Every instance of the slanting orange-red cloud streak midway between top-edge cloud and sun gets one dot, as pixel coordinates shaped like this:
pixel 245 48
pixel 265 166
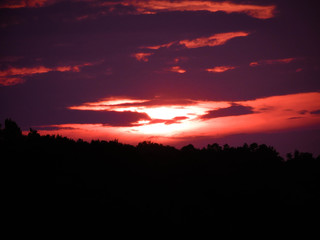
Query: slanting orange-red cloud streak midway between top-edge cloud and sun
pixel 211 41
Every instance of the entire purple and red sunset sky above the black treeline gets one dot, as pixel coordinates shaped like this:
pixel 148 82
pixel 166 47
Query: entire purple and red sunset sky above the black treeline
pixel 172 72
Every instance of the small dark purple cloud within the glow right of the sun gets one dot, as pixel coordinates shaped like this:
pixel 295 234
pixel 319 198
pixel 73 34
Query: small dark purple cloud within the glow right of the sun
pixel 234 110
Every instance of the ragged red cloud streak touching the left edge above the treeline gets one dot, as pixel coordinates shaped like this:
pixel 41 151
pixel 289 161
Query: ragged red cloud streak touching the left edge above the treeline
pixel 13 76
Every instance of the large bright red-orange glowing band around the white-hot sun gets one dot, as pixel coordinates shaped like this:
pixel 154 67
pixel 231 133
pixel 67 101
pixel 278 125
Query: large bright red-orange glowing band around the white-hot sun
pixel 171 122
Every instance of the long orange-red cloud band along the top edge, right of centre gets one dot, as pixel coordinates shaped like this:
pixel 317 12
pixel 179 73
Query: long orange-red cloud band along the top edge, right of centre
pixel 155 6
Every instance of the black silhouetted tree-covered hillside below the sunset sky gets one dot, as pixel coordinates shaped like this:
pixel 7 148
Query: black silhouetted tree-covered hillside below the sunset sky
pixel 58 182
